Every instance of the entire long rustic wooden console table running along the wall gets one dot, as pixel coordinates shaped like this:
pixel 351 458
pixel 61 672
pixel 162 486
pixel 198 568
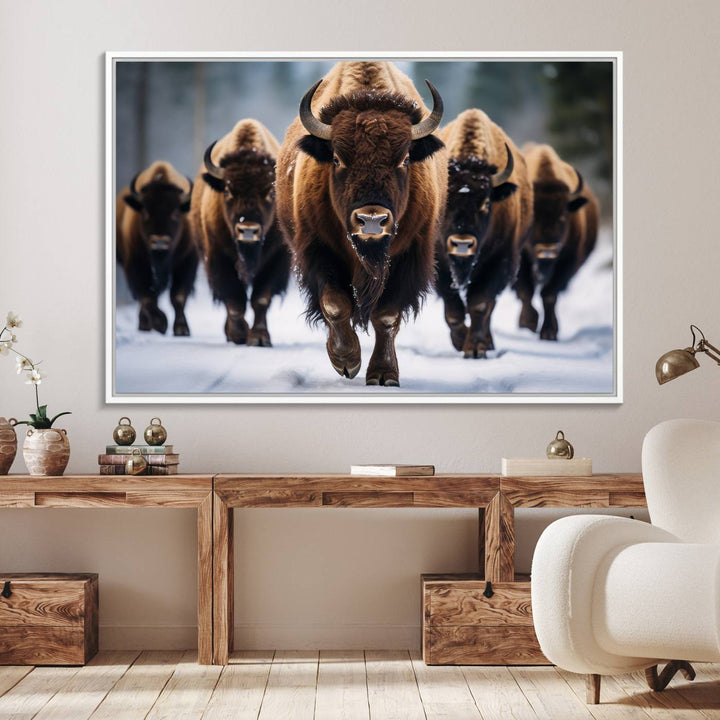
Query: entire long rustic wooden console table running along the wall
pixel 215 497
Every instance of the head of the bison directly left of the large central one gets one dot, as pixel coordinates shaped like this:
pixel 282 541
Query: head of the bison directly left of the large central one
pixel 246 180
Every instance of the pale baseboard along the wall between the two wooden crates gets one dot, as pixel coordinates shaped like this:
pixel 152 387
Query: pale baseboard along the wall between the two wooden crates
pixel 265 637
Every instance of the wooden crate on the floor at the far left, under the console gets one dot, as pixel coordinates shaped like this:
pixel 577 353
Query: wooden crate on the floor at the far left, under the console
pixel 48 618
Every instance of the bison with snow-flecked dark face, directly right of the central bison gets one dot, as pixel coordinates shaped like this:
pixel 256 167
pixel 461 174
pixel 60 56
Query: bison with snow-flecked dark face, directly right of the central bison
pixel 487 218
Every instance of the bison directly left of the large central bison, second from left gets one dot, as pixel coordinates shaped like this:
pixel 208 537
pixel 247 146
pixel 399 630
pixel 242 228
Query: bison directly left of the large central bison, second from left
pixel 234 226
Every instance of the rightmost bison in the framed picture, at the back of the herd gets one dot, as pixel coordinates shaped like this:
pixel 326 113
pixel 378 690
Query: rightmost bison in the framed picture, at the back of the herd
pixel 563 234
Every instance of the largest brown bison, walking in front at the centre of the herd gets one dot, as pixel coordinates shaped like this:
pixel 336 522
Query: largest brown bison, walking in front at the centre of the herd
pixel 361 189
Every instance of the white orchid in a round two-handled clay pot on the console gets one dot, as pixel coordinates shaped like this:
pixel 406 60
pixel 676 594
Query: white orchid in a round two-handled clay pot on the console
pixel 46 449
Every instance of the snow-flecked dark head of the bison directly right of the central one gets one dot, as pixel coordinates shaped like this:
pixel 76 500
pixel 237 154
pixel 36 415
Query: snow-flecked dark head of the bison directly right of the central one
pixel 474 186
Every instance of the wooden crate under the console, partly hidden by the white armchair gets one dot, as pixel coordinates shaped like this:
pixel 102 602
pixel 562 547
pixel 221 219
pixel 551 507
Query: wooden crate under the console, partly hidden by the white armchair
pixel 461 626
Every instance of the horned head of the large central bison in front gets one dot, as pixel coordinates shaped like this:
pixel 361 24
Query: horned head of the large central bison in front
pixel 370 140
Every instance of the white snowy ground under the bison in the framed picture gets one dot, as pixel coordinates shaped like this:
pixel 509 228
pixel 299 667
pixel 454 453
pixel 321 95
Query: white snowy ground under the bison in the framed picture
pixel 581 362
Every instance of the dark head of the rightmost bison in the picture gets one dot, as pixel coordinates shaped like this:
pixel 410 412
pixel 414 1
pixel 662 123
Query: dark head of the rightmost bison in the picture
pixel 553 203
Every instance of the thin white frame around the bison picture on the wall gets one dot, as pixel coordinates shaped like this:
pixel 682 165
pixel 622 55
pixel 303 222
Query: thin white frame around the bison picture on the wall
pixel 356 392
